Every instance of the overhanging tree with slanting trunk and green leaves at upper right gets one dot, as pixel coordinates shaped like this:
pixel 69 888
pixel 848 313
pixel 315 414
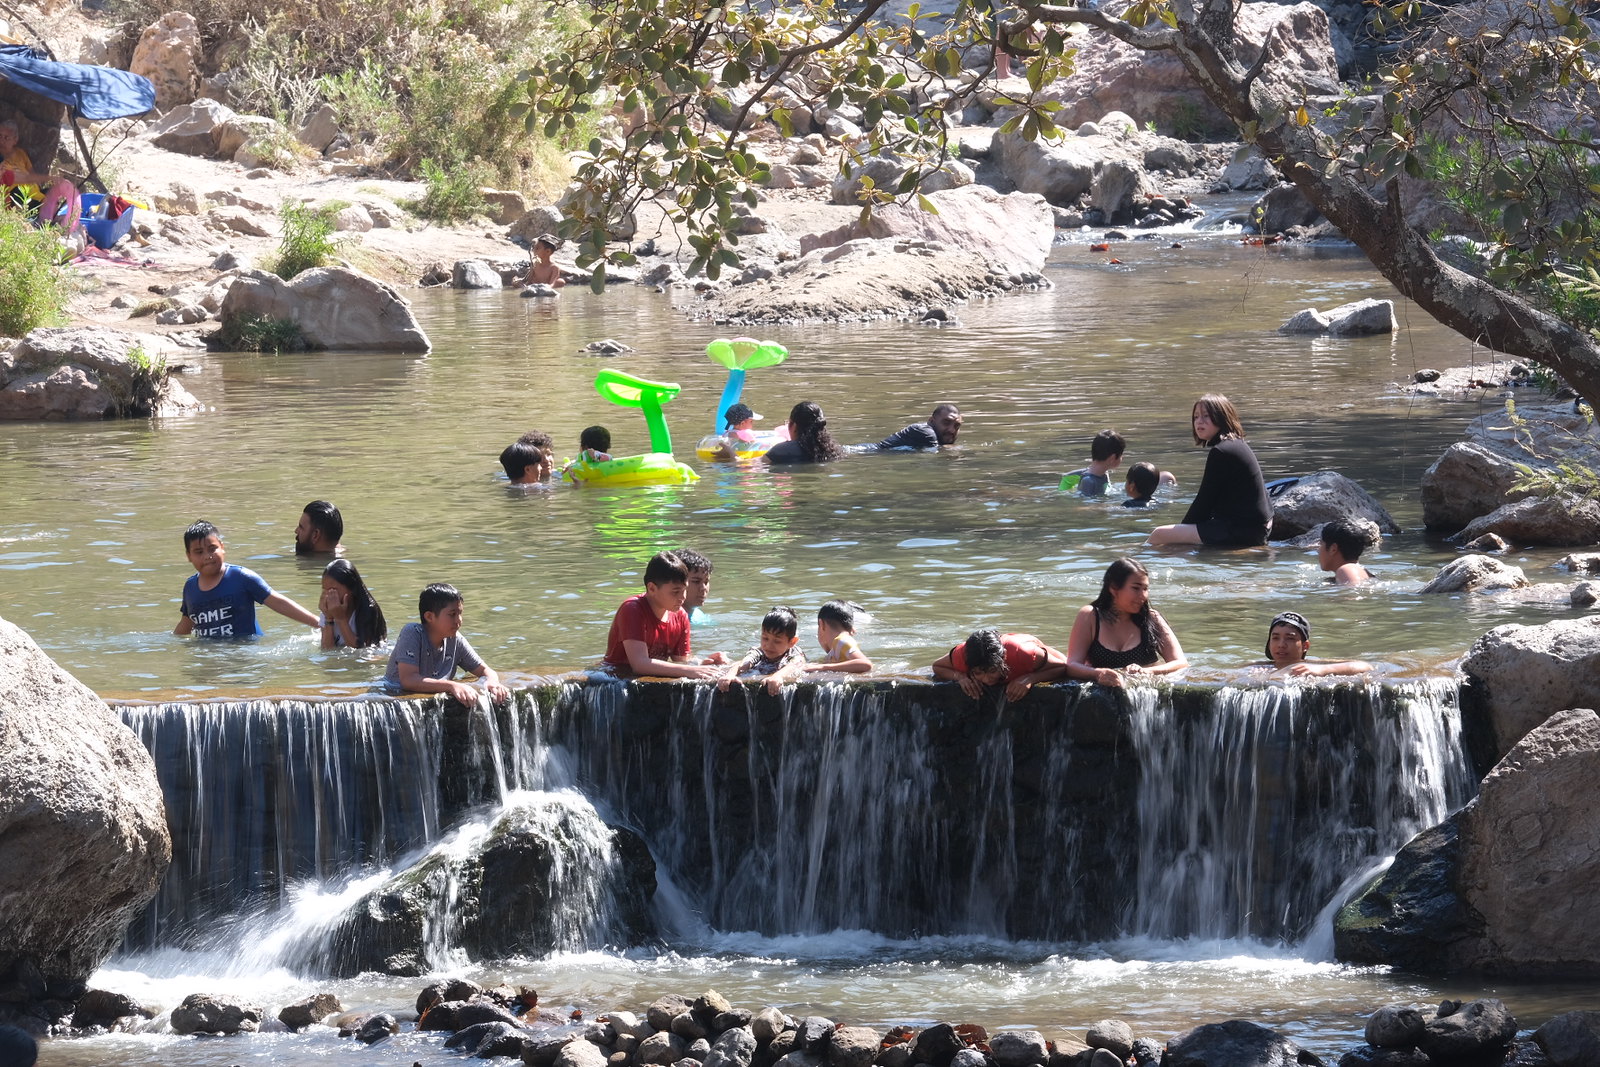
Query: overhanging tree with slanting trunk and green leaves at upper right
pixel 1482 106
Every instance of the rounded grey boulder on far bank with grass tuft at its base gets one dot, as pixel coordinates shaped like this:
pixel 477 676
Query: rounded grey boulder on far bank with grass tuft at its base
pixel 335 308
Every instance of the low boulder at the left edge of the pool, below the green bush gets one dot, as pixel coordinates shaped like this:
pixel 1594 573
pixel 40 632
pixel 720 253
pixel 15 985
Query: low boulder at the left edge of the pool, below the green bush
pixel 89 374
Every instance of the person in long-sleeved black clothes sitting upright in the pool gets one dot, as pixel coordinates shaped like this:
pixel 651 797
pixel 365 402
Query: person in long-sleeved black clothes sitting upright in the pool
pixel 1231 506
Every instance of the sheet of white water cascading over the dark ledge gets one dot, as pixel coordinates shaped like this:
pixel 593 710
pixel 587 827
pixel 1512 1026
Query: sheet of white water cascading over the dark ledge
pixel 906 809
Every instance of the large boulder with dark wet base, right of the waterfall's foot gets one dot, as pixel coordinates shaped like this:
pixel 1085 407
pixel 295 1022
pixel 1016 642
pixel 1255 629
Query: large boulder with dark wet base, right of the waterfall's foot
pixel 1505 885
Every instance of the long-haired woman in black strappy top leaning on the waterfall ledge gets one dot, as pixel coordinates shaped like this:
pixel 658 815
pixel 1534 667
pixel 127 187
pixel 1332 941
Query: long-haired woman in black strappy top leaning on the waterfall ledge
pixel 1122 633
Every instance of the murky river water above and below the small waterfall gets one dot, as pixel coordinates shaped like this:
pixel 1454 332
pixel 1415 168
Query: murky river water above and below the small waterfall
pixel 932 545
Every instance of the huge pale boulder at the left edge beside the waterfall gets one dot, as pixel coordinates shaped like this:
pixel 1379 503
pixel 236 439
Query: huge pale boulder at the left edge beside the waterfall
pixel 84 841
